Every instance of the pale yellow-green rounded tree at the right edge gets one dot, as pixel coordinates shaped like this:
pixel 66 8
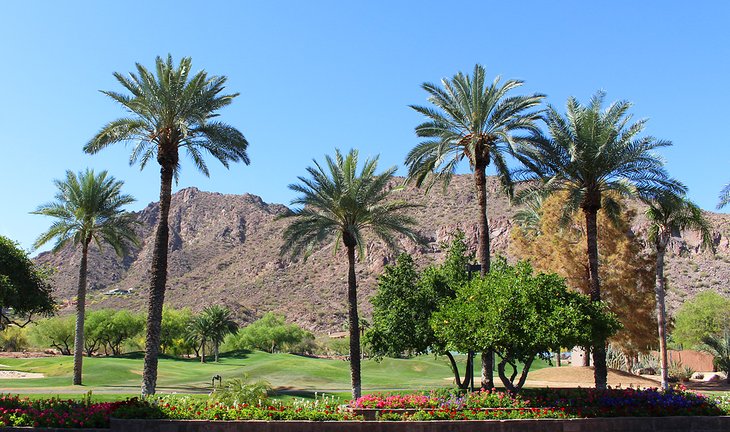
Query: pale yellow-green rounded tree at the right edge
pixel 706 314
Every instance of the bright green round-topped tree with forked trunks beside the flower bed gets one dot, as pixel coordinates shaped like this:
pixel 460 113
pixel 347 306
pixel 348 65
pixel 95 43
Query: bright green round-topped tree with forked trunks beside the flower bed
pixel 520 315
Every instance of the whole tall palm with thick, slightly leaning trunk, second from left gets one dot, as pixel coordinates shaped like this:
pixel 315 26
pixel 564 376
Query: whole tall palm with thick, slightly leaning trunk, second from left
pixel 169 112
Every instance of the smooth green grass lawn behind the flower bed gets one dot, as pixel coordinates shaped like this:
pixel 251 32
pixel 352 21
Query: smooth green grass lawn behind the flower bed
pixel 285 372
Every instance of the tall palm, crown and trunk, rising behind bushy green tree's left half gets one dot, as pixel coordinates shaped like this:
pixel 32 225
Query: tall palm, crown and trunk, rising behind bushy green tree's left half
pixel 474 120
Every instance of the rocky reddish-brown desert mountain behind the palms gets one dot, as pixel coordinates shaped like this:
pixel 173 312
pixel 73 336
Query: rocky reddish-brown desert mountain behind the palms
pixel 224 249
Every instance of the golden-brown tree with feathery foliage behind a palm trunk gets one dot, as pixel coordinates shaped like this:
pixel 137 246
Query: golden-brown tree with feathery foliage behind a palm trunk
pixel 558 245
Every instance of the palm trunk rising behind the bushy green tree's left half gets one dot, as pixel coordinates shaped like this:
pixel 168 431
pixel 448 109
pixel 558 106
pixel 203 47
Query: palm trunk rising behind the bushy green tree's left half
pixel 480 179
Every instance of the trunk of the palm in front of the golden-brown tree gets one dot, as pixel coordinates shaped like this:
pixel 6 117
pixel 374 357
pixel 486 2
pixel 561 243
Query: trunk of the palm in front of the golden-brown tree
pixel 600 371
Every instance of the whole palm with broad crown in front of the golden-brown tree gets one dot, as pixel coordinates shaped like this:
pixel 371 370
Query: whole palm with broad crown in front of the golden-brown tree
pixel 595 155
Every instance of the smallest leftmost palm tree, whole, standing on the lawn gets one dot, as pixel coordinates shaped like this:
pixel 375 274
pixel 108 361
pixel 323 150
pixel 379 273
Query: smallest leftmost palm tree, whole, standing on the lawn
pixel 88 207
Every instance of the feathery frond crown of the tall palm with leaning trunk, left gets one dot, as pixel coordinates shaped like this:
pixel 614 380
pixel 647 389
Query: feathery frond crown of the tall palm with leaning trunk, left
pixel 170 109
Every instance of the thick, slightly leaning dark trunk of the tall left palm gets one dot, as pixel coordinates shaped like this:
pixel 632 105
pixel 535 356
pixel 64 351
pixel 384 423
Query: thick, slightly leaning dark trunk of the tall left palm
pixel 158 281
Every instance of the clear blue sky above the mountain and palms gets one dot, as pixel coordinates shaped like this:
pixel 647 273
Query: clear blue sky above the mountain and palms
pixel 318 75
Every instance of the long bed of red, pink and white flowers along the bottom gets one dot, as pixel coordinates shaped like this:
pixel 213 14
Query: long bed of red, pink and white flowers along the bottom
pixel 434 405
